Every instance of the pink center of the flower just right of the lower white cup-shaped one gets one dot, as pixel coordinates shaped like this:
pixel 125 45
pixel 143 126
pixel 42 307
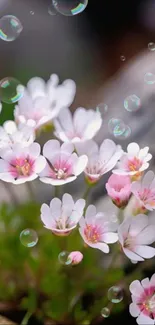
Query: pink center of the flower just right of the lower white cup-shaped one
pixel 92 233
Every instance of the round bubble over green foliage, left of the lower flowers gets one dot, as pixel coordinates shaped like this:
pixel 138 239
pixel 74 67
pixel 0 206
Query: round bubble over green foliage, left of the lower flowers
pixel 28 237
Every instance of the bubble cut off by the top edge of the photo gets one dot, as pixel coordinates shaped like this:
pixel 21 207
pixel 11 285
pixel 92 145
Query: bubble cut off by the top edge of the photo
pixel 70 7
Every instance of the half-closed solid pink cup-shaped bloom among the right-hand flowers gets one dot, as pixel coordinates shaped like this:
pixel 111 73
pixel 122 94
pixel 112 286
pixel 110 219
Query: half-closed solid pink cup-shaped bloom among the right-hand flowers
pixel 119 189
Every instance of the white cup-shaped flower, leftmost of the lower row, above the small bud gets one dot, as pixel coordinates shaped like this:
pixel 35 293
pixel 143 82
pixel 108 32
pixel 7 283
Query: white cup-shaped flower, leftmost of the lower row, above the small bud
pixel 61 217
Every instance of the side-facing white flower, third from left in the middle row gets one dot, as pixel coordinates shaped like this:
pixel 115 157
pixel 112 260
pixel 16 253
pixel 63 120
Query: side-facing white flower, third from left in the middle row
pixel 100 160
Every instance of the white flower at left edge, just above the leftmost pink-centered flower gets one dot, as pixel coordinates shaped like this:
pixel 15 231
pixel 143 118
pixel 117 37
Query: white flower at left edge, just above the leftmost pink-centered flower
pixel 10 134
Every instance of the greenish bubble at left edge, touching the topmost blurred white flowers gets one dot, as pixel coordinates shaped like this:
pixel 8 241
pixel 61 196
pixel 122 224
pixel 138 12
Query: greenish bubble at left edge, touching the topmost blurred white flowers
pixel 10 90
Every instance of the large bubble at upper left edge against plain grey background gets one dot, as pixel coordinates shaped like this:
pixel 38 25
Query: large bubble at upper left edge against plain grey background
pixel 10 28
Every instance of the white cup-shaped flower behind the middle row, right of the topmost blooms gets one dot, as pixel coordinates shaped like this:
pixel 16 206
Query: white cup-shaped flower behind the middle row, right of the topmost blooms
pixel 82 126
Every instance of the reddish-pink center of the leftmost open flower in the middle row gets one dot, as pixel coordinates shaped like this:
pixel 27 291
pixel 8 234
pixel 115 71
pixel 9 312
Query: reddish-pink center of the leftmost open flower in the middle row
pixel 21 167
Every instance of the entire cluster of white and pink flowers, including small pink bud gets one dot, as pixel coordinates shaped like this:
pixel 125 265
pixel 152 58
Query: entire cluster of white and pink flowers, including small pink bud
pixel 21 161
